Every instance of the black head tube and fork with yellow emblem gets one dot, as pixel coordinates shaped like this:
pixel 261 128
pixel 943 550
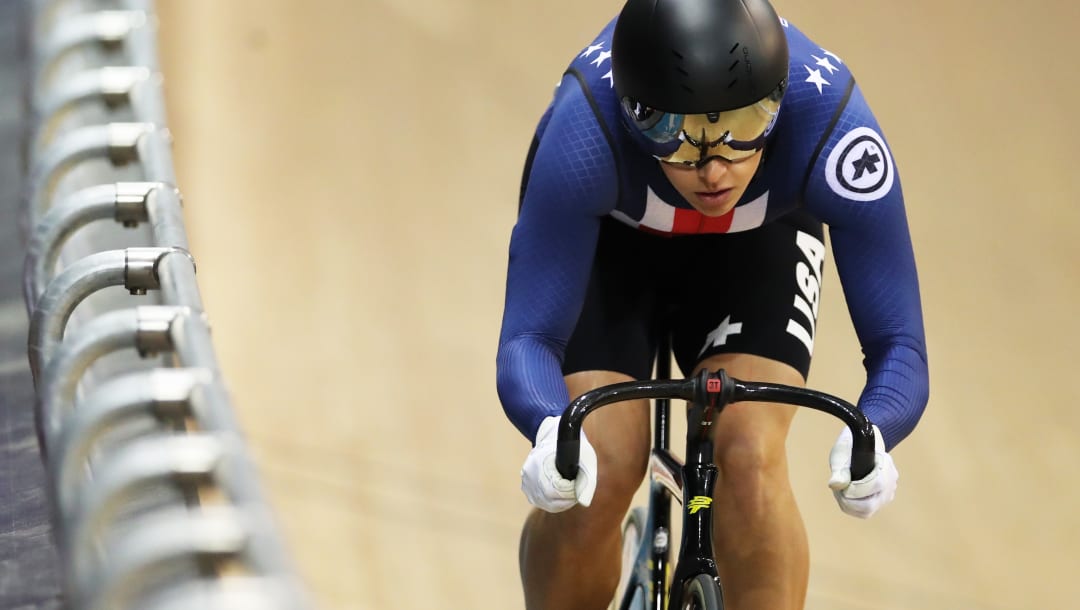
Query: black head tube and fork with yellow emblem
pixel 696 552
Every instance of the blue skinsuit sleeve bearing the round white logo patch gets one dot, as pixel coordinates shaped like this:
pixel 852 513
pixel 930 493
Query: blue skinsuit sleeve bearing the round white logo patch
pixel 855 189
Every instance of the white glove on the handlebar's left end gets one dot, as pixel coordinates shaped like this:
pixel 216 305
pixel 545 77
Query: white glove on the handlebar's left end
pixel 543 484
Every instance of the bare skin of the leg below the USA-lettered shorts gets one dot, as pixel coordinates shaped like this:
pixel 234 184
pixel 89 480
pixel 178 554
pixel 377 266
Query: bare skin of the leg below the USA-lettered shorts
pixel 760 540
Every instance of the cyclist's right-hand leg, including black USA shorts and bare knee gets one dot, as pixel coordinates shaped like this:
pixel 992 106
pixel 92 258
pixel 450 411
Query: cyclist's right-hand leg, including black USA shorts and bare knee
pixel 755 318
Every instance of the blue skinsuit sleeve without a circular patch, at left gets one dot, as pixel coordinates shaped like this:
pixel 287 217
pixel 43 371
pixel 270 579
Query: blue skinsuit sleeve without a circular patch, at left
pixel 572 185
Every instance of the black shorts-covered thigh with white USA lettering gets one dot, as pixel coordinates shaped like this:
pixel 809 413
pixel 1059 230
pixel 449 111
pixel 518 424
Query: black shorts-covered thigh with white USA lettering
pixel 754 293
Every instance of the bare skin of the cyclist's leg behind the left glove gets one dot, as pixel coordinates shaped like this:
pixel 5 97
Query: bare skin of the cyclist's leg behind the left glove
pixel 571 561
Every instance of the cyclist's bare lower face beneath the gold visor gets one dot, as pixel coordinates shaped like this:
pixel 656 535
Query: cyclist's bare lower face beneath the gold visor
pixel 714 188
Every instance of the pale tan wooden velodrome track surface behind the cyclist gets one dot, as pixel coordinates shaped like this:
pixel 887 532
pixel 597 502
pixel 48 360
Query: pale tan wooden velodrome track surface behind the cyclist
pixel 350 172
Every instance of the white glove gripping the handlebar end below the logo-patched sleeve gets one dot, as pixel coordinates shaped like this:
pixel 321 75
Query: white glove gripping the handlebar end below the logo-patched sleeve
pixel 862 498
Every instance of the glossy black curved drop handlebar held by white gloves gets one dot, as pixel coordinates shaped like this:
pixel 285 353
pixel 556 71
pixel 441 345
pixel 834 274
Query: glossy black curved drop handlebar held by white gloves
pixel 720 390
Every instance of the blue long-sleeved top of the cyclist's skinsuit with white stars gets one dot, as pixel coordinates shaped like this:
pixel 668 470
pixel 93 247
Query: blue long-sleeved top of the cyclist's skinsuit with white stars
pixel 827 155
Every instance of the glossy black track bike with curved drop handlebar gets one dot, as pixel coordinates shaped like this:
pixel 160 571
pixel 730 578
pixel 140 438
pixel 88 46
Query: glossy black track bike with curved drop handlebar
pixel 707 394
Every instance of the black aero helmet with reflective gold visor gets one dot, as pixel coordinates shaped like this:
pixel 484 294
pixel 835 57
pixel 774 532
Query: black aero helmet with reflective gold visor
pixel 700 78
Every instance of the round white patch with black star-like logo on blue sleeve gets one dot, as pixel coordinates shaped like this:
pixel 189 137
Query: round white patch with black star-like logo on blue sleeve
pixel 860 167
